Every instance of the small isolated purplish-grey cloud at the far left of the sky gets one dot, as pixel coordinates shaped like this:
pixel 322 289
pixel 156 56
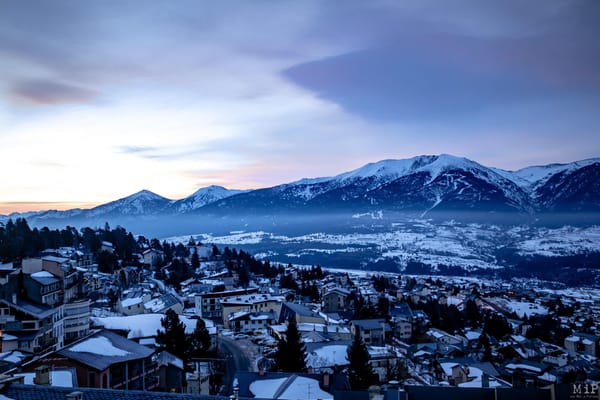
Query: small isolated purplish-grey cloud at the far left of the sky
pixel 47 92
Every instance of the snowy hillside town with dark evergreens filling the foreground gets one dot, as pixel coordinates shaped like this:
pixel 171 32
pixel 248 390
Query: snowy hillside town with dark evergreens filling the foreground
pixel 87 311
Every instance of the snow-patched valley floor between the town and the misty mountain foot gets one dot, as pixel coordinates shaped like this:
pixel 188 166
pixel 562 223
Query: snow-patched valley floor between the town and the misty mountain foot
pixel 469 246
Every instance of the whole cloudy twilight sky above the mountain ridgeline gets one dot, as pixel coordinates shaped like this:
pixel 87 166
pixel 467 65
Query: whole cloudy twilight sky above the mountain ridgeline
pixel 99 100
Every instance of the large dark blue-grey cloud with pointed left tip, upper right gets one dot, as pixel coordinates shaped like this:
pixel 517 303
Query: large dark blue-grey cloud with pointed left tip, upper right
pixel 453 66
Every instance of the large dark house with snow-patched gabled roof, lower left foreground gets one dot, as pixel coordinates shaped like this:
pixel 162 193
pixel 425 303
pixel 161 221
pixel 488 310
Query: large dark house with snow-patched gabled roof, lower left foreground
pixel 106 360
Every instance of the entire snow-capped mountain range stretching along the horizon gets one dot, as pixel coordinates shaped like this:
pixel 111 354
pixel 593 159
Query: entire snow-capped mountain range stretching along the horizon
pixel 422 185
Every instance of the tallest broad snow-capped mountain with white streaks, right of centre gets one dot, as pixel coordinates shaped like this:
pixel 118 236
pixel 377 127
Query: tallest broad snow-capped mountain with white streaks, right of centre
pixel 421 183
